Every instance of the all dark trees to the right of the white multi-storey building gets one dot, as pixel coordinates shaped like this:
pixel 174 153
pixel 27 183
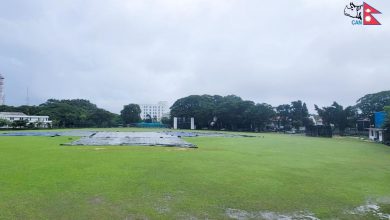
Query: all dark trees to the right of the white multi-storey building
pixel 233 113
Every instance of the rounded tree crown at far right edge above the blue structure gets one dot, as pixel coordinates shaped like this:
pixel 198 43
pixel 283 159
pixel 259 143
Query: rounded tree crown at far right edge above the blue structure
pixel 371 103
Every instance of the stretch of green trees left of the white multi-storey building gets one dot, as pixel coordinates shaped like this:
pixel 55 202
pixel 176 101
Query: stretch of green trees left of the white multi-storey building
pixel 74 113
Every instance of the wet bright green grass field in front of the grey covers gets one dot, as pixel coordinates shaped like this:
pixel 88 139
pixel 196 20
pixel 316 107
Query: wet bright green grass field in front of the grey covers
pixel 39 179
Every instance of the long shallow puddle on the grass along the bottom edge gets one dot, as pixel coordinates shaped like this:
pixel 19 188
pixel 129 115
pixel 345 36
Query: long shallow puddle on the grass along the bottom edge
pixel 268 215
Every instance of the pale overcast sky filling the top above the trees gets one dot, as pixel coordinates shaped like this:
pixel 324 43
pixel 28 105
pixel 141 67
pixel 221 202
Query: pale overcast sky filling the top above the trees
pixel 142 51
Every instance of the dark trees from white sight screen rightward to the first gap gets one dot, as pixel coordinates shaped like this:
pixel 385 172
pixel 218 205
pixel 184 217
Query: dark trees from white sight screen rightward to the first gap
pixel 233 113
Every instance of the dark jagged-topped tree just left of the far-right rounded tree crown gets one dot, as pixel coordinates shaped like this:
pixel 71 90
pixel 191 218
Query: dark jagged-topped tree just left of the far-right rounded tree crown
pixel 337 115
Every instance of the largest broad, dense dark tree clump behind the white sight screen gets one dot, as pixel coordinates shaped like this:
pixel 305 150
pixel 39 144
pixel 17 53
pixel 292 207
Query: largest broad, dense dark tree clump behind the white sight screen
pixel 229 112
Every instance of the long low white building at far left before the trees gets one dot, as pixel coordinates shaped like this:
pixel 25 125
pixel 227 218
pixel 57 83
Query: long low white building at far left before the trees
pixel 38 121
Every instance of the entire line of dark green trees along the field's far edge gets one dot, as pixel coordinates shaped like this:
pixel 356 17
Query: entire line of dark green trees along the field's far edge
pixel 212 112
